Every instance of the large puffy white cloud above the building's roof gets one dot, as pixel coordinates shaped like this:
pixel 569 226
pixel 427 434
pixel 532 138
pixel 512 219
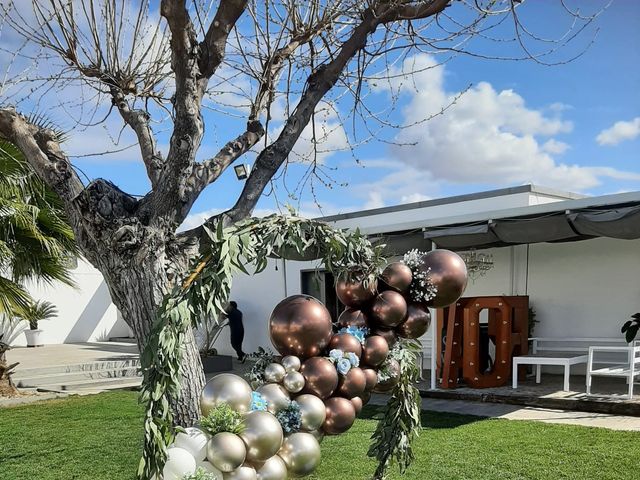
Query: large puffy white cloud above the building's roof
pixel 486 136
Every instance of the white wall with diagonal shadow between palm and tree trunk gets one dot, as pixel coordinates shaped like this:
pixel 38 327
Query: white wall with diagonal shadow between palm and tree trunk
pixel 85 314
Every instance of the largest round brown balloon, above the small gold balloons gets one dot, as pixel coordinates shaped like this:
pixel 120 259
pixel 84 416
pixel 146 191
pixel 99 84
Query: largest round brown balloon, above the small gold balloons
pixel 300 325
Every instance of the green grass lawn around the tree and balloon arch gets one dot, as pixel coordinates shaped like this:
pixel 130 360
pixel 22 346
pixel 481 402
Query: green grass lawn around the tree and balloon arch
pixel 98 437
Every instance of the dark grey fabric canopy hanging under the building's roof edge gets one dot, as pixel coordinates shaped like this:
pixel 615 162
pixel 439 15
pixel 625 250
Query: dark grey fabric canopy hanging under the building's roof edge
pixel 560 226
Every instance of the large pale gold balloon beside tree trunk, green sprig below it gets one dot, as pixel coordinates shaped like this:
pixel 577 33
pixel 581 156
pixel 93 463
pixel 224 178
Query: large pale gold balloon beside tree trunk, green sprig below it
pixel 226 388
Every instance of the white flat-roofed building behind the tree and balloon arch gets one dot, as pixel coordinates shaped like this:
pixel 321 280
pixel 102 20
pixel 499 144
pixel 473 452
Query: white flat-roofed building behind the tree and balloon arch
pixel 584 283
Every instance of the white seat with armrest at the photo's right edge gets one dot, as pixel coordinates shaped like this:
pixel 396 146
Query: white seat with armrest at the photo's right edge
pixel 625 363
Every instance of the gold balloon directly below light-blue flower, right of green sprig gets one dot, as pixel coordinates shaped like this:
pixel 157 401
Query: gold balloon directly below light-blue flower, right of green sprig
pixel 262 436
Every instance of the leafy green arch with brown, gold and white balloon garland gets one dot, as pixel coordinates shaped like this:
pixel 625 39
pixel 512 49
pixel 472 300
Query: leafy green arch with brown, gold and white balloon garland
pixel 325 373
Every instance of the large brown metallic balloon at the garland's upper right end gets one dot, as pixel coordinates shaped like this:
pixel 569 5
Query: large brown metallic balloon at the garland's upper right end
pixel 448 273
